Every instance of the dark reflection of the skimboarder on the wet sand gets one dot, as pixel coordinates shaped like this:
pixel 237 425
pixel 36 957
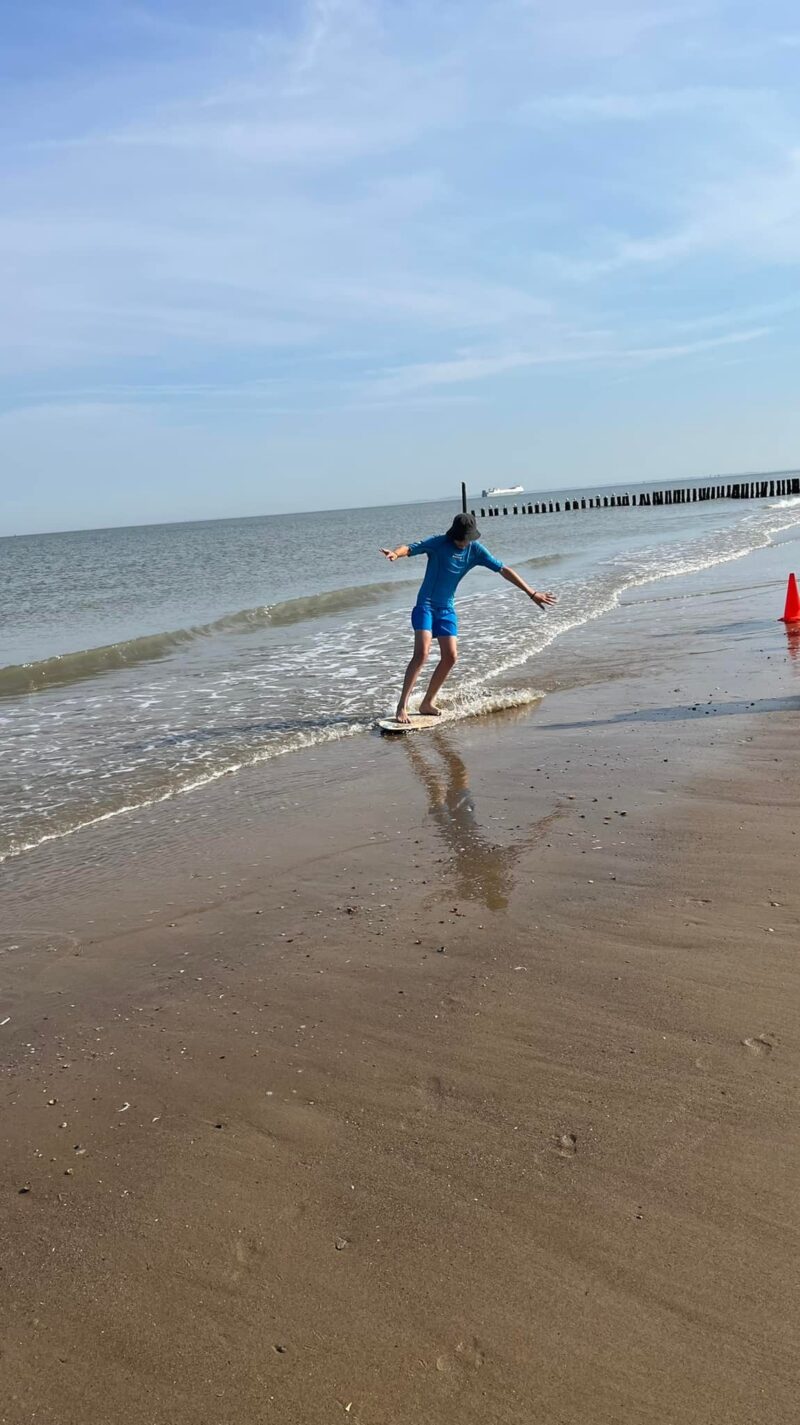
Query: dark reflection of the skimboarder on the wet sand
pixel 483 870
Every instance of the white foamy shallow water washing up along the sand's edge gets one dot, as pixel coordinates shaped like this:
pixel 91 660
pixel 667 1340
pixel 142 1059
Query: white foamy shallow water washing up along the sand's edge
pixel 185 729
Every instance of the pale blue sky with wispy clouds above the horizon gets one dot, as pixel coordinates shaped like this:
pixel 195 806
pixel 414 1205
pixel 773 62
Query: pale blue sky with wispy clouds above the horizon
pixel 303 254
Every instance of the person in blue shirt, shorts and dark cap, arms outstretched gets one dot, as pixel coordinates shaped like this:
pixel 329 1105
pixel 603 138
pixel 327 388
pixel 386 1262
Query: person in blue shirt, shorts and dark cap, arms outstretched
pixel 450 558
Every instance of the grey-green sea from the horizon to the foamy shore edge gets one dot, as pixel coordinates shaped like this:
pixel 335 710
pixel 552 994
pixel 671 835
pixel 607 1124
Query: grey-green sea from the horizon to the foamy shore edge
pixel 140 663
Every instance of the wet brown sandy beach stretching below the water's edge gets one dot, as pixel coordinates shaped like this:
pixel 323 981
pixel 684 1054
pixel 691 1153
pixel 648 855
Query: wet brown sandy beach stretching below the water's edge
pixel 451 1079
